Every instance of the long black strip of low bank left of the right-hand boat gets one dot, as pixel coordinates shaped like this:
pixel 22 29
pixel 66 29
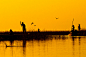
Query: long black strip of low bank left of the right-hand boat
pixel 30 35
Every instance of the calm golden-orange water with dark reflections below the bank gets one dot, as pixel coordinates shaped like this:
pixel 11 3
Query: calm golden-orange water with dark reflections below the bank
pixel 63 46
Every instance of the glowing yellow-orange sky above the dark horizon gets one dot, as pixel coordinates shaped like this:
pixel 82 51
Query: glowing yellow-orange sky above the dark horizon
pixel 42 13
